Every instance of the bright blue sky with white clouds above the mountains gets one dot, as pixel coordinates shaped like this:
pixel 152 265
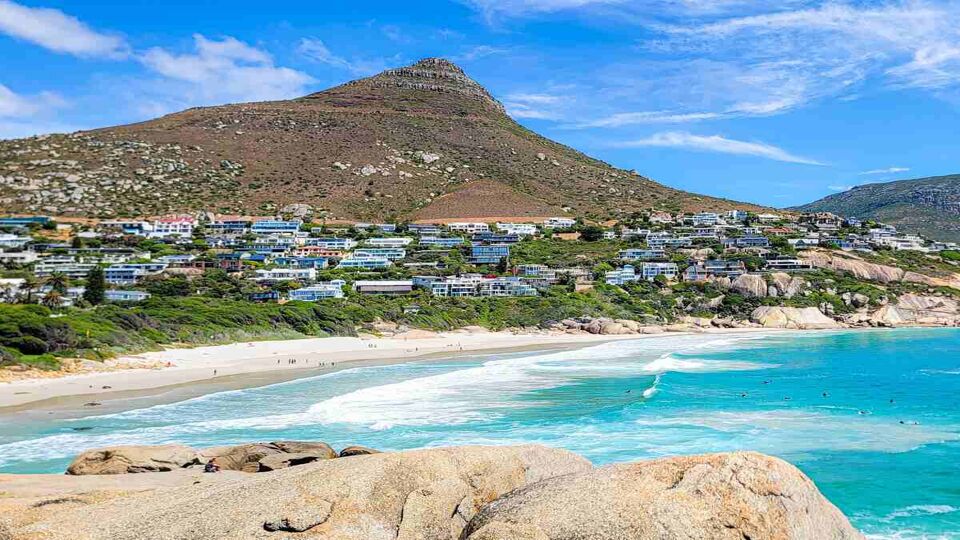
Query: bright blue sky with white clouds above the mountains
pixel 772 102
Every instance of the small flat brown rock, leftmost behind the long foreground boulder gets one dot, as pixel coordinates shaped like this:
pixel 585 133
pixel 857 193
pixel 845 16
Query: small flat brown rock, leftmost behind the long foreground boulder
pixel 133 459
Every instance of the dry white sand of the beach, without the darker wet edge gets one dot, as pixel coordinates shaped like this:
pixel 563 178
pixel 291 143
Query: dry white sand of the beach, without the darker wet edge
pixel 204 363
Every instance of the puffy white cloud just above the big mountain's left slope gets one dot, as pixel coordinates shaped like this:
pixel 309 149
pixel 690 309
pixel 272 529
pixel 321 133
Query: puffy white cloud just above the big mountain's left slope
pixel 227 70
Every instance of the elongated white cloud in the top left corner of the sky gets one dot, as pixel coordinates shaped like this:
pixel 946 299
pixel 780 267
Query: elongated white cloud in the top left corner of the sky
pixel 58 32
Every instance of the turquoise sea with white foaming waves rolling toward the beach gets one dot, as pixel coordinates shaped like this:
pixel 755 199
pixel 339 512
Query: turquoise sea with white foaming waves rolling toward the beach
pixel 871 416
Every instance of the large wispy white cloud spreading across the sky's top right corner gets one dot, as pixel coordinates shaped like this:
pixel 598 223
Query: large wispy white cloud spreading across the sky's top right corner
pixel 909 43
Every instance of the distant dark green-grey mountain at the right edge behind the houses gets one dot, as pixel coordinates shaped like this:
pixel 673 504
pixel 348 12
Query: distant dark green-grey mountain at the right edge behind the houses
pixel 930 206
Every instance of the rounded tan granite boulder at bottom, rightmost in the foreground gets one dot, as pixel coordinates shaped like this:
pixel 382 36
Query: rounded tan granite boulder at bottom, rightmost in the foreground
pixel 718 496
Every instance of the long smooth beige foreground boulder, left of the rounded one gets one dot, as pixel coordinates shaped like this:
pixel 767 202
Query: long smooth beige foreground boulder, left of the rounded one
pixel 427 494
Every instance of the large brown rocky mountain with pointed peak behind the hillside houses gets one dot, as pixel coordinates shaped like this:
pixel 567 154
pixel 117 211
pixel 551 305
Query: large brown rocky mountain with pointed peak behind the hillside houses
pixel 418 142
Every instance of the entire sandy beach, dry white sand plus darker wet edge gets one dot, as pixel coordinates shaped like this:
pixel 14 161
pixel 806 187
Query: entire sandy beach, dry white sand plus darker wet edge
pixel 177 374
